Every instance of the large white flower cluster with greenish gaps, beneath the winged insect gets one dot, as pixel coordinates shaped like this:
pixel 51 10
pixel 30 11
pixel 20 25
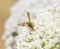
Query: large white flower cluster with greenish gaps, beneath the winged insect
pixel 46 33
